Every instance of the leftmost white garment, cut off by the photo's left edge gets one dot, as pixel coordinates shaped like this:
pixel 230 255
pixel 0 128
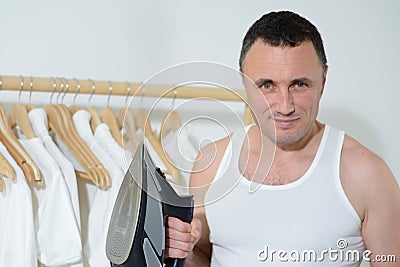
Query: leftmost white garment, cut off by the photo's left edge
pixel 17 234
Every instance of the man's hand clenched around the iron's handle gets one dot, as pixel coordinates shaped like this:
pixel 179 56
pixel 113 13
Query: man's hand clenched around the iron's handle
pixel 181 237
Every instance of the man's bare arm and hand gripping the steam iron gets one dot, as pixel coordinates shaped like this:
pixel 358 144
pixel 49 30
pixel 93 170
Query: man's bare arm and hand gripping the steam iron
pixel 198 248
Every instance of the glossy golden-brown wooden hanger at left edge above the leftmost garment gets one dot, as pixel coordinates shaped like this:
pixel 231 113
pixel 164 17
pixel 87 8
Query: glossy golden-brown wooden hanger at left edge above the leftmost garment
pixel 22 158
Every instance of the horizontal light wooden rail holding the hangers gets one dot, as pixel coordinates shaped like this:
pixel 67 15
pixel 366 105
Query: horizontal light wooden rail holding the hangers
pixel 39 84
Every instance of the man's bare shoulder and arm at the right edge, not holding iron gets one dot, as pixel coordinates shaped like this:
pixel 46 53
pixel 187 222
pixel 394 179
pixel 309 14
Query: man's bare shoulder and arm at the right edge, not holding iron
pixel 375 194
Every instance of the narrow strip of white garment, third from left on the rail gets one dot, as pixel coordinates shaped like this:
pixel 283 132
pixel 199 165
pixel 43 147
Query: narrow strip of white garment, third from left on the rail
pixel 38 119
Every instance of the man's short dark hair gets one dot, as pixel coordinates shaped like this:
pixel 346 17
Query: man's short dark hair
pixel 283 28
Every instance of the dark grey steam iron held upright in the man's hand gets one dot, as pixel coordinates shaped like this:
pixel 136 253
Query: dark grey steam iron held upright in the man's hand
pixel 136 233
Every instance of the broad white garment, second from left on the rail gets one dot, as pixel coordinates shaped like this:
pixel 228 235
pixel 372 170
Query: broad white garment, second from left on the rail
pixel 58 239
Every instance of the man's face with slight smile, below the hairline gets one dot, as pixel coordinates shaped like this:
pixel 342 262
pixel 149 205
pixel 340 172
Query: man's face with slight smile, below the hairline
pixel 291 81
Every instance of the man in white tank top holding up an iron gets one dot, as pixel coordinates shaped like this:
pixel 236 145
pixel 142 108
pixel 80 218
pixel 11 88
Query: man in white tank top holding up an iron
pixel 321 199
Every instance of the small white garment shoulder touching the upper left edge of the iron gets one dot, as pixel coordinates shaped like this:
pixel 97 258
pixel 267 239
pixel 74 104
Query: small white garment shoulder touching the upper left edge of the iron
pixel 120 156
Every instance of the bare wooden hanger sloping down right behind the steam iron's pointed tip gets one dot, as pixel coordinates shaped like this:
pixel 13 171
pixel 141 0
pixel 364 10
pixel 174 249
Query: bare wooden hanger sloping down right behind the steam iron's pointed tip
pixel 142 121
